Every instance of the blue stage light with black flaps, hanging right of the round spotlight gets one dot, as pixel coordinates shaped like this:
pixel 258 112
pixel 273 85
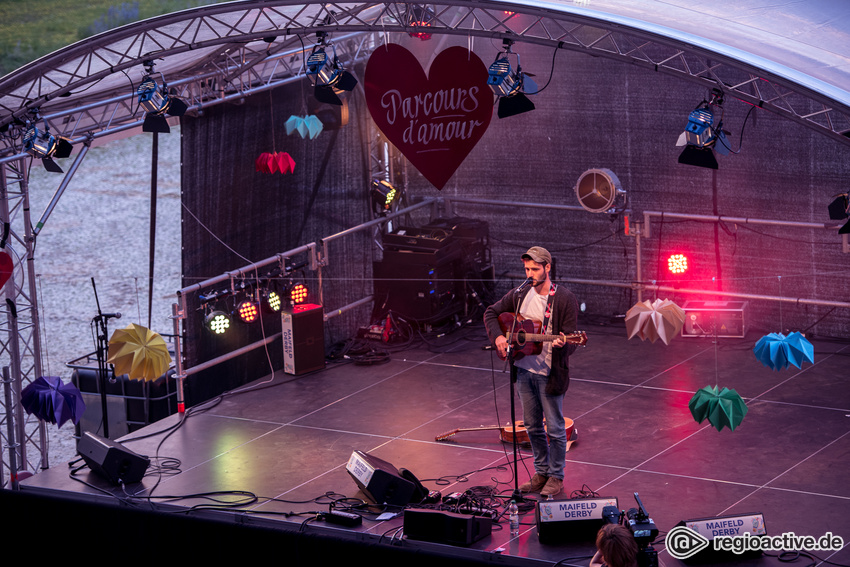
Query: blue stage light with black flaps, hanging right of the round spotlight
pixel 702 137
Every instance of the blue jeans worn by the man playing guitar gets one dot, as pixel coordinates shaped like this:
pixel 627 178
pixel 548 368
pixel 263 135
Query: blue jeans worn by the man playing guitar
pixel 549 442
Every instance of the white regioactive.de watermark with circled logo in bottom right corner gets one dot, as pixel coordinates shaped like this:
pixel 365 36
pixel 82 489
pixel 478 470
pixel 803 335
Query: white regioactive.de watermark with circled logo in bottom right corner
pixel 683 542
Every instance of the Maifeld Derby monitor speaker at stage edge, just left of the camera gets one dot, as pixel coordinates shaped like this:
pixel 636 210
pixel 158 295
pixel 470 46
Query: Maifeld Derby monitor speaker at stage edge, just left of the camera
pixel 571 520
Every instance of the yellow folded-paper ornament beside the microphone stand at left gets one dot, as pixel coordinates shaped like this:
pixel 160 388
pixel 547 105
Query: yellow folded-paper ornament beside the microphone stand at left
pixel 138 352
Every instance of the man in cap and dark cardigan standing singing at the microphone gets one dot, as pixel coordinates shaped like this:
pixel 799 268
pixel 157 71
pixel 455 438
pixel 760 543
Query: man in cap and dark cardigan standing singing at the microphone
pixel 542 379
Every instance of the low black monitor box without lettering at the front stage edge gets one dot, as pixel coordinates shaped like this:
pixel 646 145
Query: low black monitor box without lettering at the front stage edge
pixel 446 527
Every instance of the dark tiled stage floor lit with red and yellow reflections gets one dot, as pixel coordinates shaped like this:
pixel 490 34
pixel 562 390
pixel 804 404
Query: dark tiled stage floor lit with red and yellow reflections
pixel 286 440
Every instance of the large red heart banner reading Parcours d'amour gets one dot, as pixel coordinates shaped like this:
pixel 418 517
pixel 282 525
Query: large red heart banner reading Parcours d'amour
pixel 434 120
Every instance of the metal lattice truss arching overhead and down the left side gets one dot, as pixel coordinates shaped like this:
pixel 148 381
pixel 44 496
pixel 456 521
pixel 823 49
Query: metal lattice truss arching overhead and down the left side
pixel 225 52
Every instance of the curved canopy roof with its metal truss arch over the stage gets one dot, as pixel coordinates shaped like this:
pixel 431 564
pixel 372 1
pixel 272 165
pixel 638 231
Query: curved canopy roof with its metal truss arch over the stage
pixel 792 59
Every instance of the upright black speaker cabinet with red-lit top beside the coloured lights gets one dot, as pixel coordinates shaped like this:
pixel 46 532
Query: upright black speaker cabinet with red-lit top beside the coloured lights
pixel 303 331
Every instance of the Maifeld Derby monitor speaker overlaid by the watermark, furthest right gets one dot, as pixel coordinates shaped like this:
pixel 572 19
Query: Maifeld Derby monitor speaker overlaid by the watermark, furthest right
pixel 739 526
